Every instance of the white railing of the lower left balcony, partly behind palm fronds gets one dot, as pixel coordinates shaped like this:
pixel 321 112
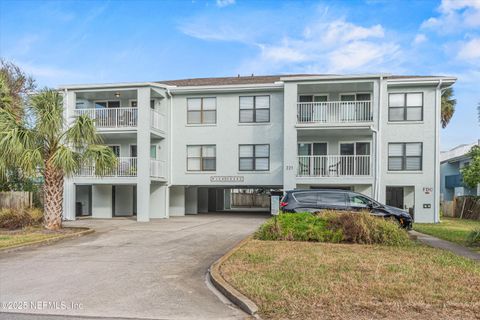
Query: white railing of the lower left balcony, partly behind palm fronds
pixel 126 167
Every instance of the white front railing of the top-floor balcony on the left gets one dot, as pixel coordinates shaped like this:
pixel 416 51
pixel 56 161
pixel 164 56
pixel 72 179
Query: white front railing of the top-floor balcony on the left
pixel 111 117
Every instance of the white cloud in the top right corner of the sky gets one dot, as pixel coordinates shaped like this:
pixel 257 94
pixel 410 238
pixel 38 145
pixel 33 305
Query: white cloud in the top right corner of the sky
pixel 455 16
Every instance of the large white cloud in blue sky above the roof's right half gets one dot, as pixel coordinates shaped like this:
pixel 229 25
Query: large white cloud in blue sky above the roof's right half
pixel 332 47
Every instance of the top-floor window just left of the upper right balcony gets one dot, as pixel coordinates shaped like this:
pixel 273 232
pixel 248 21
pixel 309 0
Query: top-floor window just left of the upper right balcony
pixel 255 109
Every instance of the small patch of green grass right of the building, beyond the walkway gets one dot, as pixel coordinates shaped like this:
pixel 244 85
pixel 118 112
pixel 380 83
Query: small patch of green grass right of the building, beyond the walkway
pixel 451 229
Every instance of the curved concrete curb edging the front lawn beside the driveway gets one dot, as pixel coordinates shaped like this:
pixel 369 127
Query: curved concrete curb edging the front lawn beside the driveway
pixel 226 289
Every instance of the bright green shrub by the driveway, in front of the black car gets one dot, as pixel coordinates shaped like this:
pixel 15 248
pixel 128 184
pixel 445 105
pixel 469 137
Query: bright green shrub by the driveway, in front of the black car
pixel 298 227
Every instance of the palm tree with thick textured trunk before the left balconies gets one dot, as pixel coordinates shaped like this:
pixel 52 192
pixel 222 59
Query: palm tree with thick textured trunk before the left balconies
pixel 43 145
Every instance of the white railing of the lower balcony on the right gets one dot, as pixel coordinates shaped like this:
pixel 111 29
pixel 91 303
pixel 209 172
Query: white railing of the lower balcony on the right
pixel 334 166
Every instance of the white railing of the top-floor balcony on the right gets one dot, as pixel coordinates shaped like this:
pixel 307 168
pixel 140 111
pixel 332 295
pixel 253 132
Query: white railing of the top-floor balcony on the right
pixel 334 112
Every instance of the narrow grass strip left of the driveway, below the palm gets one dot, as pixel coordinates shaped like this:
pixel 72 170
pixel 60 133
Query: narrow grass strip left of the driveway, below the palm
pixel 14 238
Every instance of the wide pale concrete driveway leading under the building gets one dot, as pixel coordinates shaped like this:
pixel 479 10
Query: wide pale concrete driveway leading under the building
pixel 153 270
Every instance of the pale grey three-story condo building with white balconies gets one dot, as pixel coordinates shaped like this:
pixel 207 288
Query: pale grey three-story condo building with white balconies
pixel 183 145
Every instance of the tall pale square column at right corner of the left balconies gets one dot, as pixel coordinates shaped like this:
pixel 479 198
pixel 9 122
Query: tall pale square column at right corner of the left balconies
pixel 143 154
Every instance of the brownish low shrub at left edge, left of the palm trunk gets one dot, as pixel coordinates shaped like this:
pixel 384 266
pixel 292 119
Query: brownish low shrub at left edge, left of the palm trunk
pixel 20 218
